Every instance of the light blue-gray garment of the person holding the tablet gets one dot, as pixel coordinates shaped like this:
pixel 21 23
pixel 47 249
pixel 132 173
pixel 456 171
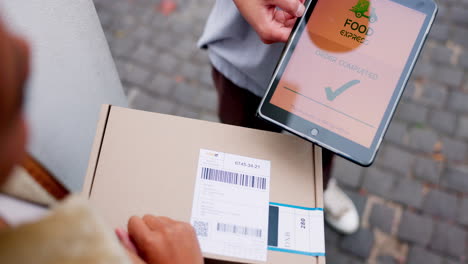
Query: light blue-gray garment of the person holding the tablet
pixel 236 51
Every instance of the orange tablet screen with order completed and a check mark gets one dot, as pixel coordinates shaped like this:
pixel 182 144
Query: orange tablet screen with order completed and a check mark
pixel 347 63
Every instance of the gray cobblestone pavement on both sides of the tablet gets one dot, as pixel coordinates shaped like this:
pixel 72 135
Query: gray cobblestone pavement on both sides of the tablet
pixel 413 201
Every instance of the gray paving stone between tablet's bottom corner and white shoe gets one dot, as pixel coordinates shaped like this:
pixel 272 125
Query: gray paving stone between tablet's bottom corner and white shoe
pixel 347 173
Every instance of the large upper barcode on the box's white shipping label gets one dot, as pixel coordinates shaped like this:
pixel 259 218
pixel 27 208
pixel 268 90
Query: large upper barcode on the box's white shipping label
pixel 233 178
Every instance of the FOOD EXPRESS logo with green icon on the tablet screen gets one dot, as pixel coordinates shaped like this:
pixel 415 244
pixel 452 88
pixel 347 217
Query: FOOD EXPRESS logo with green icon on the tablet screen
pixel 360 31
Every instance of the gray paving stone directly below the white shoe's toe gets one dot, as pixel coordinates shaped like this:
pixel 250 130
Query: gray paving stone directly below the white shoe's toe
pixel 359 243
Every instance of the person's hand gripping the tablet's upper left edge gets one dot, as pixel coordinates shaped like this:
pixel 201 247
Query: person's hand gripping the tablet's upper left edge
pixel 270 23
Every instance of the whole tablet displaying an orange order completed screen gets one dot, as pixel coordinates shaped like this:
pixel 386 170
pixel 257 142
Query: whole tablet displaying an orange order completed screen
pixel 343 71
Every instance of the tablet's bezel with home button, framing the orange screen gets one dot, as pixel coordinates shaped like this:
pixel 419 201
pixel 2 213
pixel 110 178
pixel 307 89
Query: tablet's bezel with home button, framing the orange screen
pixel 326 138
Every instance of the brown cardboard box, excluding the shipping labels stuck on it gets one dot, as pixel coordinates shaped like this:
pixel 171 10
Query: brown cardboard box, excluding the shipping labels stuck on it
pixel 146 163
